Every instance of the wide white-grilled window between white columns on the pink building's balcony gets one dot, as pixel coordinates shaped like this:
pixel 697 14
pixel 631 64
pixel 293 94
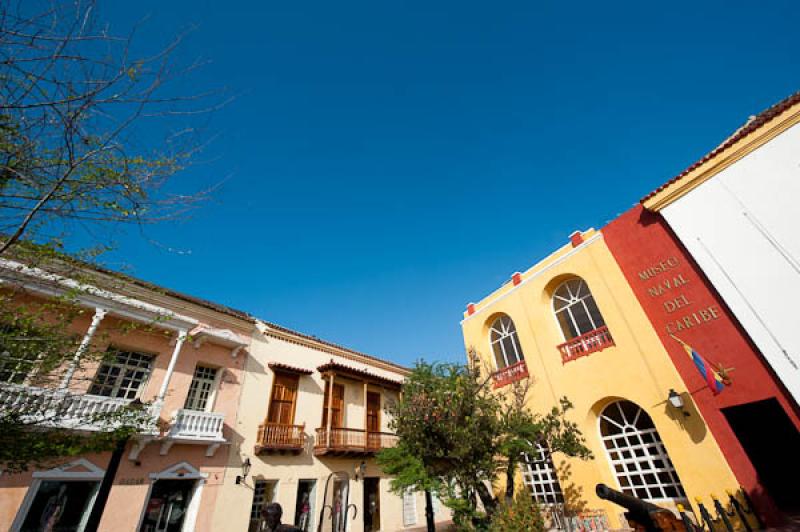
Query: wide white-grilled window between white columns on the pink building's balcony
pixel 123 377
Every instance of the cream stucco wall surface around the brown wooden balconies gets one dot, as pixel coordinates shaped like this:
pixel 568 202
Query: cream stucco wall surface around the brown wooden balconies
pixel 235 501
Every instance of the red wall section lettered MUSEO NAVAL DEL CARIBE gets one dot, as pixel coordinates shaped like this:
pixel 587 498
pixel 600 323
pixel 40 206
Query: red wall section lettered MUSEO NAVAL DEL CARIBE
pixel 679 300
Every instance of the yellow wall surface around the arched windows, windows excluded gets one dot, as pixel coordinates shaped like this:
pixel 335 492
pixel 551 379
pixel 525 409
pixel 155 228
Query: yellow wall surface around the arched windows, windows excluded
pixel 637 369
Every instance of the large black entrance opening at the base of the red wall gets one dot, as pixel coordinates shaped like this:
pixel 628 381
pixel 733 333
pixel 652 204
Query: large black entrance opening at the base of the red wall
pixel 771 441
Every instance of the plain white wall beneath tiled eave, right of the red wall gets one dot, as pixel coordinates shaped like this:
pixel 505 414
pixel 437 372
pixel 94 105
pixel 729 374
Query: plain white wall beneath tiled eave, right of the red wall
pixel 742 227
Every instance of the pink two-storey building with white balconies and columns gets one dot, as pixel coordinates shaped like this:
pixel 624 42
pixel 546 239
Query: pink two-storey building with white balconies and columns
pixel 184 360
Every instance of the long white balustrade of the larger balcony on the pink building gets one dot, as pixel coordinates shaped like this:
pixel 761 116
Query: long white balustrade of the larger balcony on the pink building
pixel 61 408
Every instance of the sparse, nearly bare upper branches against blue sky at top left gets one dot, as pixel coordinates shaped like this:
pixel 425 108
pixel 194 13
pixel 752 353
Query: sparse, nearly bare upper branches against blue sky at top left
pixel 74 101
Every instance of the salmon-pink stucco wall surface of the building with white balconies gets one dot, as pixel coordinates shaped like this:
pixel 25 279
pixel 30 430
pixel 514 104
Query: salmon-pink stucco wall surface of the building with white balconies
pixel 133 481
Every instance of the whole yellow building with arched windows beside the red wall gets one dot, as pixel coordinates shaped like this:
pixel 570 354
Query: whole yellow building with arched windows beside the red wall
pixel 572 324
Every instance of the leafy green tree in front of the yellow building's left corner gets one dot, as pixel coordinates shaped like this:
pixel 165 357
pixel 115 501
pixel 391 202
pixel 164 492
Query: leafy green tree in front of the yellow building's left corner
pixel 457 434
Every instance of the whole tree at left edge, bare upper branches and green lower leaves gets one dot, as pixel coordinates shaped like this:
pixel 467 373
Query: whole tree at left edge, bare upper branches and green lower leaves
pixel 74 100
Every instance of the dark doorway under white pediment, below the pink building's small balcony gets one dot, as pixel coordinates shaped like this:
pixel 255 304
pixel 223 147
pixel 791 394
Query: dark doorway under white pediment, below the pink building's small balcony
pixel 167 506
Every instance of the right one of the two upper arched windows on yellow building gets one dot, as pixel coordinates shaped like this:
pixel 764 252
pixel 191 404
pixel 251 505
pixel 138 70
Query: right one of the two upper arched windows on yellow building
pixel 575 309
